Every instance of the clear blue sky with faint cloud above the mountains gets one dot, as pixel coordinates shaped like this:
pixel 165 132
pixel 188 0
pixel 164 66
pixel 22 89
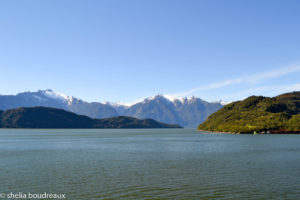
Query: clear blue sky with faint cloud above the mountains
pixel 122 51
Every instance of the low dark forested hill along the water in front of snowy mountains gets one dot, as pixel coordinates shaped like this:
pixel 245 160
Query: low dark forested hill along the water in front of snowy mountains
pixel 44 117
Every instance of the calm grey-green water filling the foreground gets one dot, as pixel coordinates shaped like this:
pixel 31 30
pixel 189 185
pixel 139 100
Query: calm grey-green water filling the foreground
pixel 149 164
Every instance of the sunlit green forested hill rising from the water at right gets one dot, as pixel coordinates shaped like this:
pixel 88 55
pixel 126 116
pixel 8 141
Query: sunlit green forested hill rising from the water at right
pixel 279 114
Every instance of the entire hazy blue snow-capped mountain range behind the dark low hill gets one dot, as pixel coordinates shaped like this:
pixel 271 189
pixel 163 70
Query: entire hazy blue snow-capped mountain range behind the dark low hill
pixel 187 112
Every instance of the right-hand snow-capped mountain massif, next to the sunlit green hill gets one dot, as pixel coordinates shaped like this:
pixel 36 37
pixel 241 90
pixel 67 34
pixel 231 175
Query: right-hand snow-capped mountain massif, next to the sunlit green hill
pixel 188 112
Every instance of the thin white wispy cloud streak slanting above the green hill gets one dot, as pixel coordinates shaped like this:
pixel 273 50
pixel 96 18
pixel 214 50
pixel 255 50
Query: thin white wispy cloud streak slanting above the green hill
pixel 252 79
